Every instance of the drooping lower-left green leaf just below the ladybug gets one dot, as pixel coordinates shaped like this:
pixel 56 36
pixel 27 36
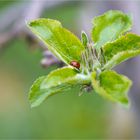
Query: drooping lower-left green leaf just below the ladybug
pixel 57 81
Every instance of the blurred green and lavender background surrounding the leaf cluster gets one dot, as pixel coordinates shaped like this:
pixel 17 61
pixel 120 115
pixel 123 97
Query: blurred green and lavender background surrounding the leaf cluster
pixel 65 115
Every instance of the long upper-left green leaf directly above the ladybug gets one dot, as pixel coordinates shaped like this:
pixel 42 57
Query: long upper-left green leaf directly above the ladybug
pixel 62 43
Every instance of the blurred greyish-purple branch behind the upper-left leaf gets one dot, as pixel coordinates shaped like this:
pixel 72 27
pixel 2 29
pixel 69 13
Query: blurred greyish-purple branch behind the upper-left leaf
pixel 22 12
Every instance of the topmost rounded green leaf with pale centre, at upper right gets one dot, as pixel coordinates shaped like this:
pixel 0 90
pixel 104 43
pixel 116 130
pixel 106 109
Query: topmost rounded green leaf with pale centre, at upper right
pixel 109 27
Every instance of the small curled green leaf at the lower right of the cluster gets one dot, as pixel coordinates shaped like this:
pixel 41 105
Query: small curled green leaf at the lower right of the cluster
pixel 112 86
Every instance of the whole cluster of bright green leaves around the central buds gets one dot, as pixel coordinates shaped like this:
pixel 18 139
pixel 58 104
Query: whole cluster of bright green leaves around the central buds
pixel 111 48
